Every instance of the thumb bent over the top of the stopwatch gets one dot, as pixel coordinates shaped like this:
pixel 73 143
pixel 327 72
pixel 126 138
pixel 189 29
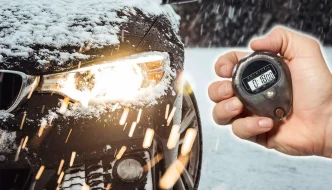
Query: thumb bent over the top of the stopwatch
pixel 287 42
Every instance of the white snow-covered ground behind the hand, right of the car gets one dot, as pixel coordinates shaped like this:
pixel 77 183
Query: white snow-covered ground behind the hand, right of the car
pixel 233 164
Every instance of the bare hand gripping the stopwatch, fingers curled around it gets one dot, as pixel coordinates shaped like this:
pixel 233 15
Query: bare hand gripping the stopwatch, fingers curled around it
pixel 308 129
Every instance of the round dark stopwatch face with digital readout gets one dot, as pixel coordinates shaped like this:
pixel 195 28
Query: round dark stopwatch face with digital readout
pixel 259 76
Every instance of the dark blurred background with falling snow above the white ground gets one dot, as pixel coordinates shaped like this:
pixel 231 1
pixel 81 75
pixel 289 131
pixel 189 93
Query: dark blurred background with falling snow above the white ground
pixel 227 23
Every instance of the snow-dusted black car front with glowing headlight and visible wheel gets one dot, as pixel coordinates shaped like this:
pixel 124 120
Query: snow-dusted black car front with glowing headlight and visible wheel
pixel 92 96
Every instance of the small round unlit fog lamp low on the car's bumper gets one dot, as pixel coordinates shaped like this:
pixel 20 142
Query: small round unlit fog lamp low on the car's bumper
pixel 129 170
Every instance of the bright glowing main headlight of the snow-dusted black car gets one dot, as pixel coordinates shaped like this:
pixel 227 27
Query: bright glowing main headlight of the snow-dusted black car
pixel 122 79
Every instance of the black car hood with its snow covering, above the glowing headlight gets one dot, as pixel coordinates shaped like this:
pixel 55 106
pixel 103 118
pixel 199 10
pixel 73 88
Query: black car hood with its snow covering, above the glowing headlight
pixel 39 37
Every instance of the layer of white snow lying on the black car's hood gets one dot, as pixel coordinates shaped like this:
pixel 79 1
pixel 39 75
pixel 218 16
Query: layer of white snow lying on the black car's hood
pixel 25 24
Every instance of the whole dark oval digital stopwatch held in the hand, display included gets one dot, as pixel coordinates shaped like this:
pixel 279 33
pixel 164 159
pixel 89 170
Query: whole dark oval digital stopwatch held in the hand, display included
pixel 262 81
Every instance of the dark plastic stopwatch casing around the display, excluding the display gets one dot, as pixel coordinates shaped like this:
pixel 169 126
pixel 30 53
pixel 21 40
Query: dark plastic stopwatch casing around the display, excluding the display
pixel 258 103
